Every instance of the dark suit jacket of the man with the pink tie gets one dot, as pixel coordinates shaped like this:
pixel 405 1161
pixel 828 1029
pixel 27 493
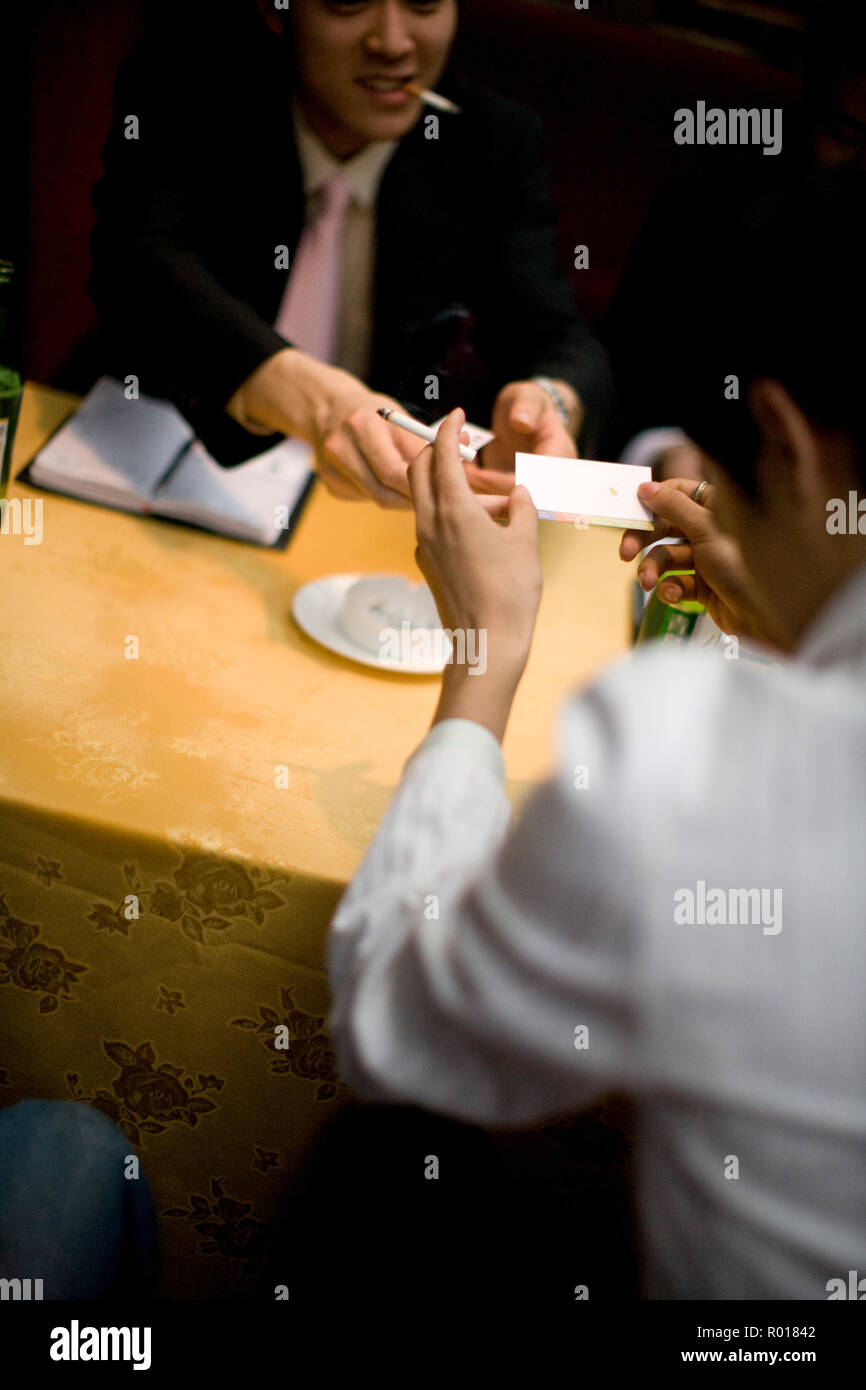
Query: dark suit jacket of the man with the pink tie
pixel 191 213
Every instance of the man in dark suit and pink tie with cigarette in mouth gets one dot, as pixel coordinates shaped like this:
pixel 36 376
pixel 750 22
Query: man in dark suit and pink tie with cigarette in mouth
pixel 229 130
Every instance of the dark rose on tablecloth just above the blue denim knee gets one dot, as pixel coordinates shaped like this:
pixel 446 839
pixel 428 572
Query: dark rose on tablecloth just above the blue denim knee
pixel 148 1097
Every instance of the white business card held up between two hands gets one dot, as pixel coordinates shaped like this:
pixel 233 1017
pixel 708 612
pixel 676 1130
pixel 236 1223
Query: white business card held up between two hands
pixel 586 491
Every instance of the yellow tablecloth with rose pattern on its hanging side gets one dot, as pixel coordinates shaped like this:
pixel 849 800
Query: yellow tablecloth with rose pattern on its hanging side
pixel 149 785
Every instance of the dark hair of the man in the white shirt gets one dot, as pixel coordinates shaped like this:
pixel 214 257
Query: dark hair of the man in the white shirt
pixel 789 306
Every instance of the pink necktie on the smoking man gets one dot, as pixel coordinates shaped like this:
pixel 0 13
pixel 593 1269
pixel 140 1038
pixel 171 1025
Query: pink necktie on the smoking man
pixel 309 313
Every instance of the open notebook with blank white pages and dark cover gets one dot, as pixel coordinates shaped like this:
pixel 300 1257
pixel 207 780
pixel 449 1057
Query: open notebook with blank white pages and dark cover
pixel 142 457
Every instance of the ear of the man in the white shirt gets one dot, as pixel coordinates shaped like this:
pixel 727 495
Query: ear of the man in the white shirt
pixel 787 439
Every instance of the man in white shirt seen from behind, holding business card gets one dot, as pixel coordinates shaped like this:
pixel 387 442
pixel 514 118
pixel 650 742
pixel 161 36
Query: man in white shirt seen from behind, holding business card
pixel 679 911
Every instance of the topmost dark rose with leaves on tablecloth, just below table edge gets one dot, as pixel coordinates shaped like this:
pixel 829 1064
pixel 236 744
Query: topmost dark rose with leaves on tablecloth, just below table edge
pixel 206 894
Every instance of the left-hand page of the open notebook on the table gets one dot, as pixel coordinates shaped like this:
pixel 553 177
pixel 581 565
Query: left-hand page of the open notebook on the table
pixel 113 450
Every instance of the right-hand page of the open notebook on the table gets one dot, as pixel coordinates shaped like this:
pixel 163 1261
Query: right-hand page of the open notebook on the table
pixel 244 501
